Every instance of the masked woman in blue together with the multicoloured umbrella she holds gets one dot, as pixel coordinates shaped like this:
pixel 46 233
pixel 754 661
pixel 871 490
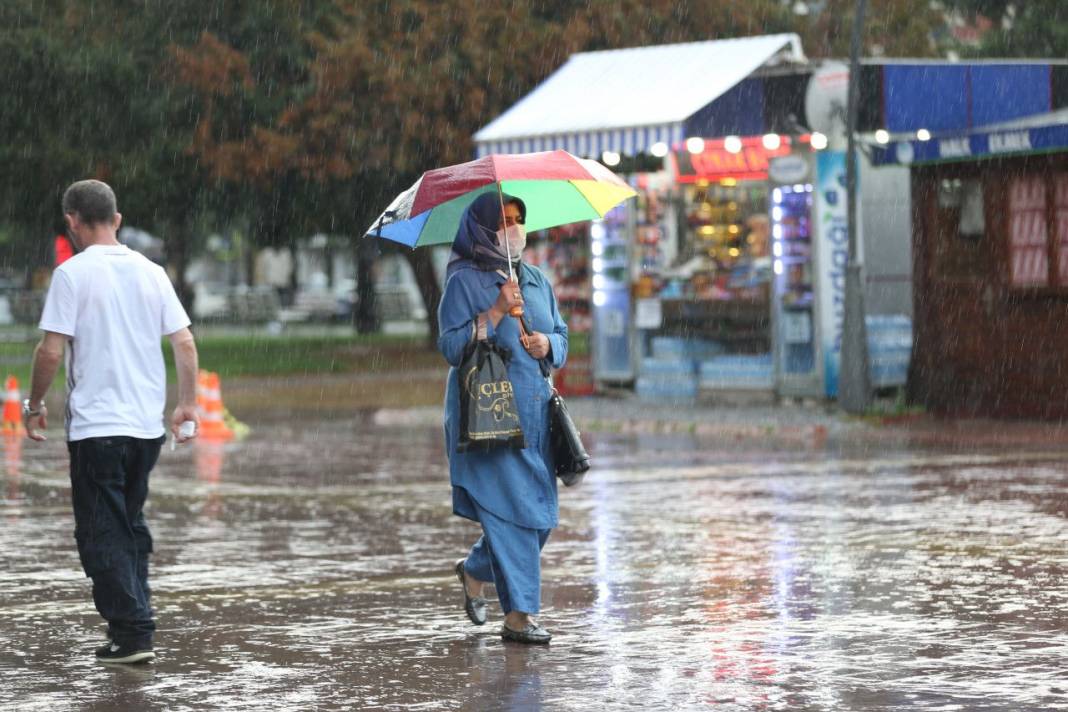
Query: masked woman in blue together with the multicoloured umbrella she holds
pixel 511 493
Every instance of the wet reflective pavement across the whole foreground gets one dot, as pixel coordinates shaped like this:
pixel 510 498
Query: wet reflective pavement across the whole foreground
pixel 310 567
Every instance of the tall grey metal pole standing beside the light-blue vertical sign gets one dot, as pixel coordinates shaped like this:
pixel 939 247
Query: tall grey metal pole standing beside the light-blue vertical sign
pixel 855 382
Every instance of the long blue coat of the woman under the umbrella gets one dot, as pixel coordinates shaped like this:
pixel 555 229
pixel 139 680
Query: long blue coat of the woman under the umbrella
pixel 517 486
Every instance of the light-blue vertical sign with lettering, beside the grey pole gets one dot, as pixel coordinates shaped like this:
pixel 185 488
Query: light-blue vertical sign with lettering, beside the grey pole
pixel 833 256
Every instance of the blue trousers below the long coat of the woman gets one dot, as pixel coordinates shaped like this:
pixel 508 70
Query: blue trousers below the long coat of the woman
pixel 511 557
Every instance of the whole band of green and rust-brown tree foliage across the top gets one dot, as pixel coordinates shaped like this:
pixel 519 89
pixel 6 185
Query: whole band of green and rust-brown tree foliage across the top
pixel 292 118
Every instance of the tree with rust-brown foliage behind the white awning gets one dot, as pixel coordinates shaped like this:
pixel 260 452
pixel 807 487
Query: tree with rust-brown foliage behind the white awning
pixel 397 88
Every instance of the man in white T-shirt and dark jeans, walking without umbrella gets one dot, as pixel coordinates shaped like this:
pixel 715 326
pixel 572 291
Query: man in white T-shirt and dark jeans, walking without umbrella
pixel 109 307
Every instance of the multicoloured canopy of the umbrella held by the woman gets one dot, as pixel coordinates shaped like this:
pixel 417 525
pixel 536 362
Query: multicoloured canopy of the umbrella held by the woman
pixel 557 187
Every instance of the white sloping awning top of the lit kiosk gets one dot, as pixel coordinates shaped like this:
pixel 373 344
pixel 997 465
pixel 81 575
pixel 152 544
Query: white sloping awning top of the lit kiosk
pixel 640 88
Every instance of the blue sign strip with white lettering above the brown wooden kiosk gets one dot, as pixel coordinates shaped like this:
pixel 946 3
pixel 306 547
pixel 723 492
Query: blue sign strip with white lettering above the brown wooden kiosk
pixel 975 146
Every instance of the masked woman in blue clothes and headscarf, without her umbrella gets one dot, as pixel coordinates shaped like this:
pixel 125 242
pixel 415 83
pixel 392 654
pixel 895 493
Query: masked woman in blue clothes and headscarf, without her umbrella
pixel 512 494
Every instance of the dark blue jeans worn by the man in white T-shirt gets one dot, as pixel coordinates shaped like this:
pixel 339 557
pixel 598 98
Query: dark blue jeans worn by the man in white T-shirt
pixel 109 484
